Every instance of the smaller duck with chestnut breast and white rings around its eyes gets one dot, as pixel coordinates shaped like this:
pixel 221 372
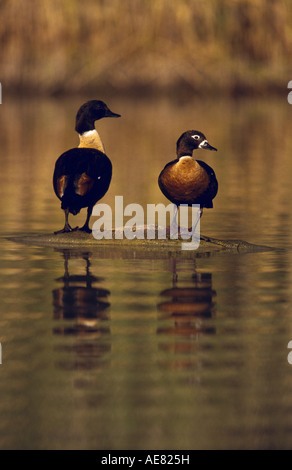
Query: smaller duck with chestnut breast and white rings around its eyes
pixel 186 180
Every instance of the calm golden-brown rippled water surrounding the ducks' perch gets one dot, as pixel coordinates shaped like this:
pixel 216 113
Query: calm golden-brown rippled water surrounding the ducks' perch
pixel 103 350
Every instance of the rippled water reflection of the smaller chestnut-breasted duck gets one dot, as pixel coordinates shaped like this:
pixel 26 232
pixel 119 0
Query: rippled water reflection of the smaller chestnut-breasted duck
pixel 186 316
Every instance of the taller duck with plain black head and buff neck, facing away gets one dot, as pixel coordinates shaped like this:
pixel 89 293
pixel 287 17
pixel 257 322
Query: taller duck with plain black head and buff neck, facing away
pixel 82 175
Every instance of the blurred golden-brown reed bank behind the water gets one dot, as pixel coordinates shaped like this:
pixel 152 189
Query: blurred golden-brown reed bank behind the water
pixel 235 47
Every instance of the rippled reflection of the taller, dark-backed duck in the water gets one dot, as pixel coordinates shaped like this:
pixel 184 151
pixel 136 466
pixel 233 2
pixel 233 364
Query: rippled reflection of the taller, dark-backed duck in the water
pixel 83 308
